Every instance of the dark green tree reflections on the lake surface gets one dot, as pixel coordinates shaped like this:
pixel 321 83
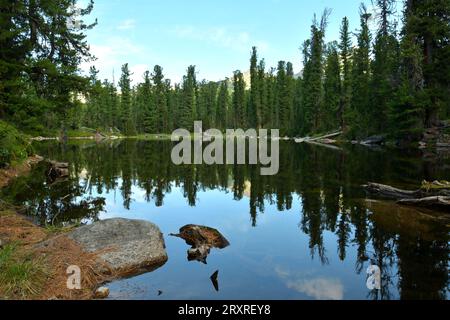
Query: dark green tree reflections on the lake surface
pixel 325 182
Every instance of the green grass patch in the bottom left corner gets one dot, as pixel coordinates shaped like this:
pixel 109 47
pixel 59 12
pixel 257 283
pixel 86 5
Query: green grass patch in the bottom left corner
pixel 21 275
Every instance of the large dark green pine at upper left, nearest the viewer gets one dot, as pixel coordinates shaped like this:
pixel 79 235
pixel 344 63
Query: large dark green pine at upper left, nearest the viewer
pixel 39 61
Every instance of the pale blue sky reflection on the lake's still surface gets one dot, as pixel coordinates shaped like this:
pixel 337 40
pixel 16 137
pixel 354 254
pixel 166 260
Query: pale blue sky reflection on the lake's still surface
pixel 270 261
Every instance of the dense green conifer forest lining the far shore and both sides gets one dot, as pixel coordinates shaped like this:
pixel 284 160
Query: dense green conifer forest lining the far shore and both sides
pixel 392 81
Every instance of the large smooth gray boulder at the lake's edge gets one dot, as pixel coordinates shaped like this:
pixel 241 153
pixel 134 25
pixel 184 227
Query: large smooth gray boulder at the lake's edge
pixel 128 247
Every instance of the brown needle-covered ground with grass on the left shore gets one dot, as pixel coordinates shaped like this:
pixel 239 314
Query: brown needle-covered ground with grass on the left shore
pixel 32 266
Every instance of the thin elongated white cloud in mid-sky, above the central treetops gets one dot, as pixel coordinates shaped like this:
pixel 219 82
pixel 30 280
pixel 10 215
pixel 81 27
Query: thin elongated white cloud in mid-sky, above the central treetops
pixel 221 36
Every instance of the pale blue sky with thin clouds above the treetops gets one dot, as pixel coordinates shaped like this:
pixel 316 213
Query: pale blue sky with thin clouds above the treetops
pixel 214 35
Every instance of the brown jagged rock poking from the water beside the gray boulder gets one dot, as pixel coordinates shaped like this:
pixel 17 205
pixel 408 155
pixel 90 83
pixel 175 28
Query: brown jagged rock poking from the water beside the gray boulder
pixel 201 239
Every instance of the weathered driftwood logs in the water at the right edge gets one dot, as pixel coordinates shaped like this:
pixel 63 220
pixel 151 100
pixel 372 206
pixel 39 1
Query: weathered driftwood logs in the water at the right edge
pixel 434 195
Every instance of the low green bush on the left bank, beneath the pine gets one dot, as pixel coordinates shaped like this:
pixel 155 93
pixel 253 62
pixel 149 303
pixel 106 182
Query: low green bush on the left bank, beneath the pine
pixel 14 146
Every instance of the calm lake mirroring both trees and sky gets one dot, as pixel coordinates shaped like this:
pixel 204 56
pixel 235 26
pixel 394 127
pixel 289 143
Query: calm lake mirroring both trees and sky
pixel 307 233
